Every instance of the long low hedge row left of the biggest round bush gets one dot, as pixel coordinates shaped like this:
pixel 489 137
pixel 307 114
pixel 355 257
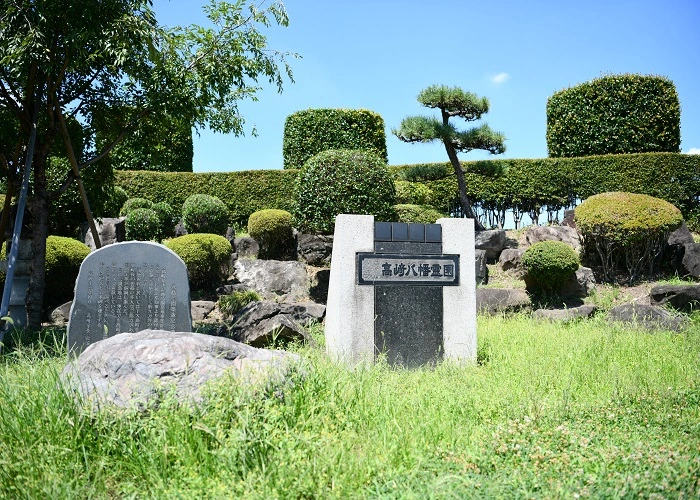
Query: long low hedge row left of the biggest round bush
pixel 242 192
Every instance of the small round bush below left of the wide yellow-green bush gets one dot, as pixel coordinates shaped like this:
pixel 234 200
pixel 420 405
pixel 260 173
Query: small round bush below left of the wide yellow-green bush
pixel 549 265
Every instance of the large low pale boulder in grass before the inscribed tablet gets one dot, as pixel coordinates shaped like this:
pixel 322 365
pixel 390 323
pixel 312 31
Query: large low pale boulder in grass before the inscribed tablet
pixel 134 368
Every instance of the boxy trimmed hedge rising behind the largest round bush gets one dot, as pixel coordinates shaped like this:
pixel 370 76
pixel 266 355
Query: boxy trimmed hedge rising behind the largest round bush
pixel 313 131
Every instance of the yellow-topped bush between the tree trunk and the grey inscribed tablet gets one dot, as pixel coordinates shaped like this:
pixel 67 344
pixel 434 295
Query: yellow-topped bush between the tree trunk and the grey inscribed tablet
pixel 63 259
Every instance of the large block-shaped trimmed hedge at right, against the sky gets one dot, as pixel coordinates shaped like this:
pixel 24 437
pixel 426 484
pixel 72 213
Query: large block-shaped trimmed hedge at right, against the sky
pixel 613 115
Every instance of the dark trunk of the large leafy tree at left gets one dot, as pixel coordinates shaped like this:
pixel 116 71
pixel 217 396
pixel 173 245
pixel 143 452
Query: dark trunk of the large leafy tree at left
pixel 39 208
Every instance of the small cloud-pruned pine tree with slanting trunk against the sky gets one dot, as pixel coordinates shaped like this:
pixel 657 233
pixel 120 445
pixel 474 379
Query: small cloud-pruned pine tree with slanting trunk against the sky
pixel 453 102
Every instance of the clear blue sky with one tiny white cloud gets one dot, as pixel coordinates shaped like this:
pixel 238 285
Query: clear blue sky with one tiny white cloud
pixel 378 54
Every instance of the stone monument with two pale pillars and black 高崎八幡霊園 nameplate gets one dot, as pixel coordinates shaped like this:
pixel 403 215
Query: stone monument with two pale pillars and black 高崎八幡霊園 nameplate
pixel 404 291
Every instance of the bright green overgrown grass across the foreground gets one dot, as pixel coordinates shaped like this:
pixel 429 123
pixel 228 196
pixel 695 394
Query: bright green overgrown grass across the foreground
pixel 551 411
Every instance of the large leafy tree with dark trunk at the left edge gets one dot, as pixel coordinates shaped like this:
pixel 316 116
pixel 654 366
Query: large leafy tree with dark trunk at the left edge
pixel 81 58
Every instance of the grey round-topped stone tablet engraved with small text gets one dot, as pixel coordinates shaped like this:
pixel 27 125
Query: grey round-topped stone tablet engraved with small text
pixel 129 287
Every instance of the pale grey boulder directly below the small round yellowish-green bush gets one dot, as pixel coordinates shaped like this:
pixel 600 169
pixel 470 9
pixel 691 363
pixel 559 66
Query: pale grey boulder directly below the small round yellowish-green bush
pixel 274 279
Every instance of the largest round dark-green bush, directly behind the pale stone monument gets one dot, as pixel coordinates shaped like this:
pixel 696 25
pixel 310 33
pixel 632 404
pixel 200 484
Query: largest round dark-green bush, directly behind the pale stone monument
pixel 343 181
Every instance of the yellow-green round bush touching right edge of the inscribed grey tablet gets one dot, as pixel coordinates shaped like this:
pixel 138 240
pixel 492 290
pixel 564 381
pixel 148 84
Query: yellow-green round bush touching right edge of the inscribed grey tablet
pixel 206 256
